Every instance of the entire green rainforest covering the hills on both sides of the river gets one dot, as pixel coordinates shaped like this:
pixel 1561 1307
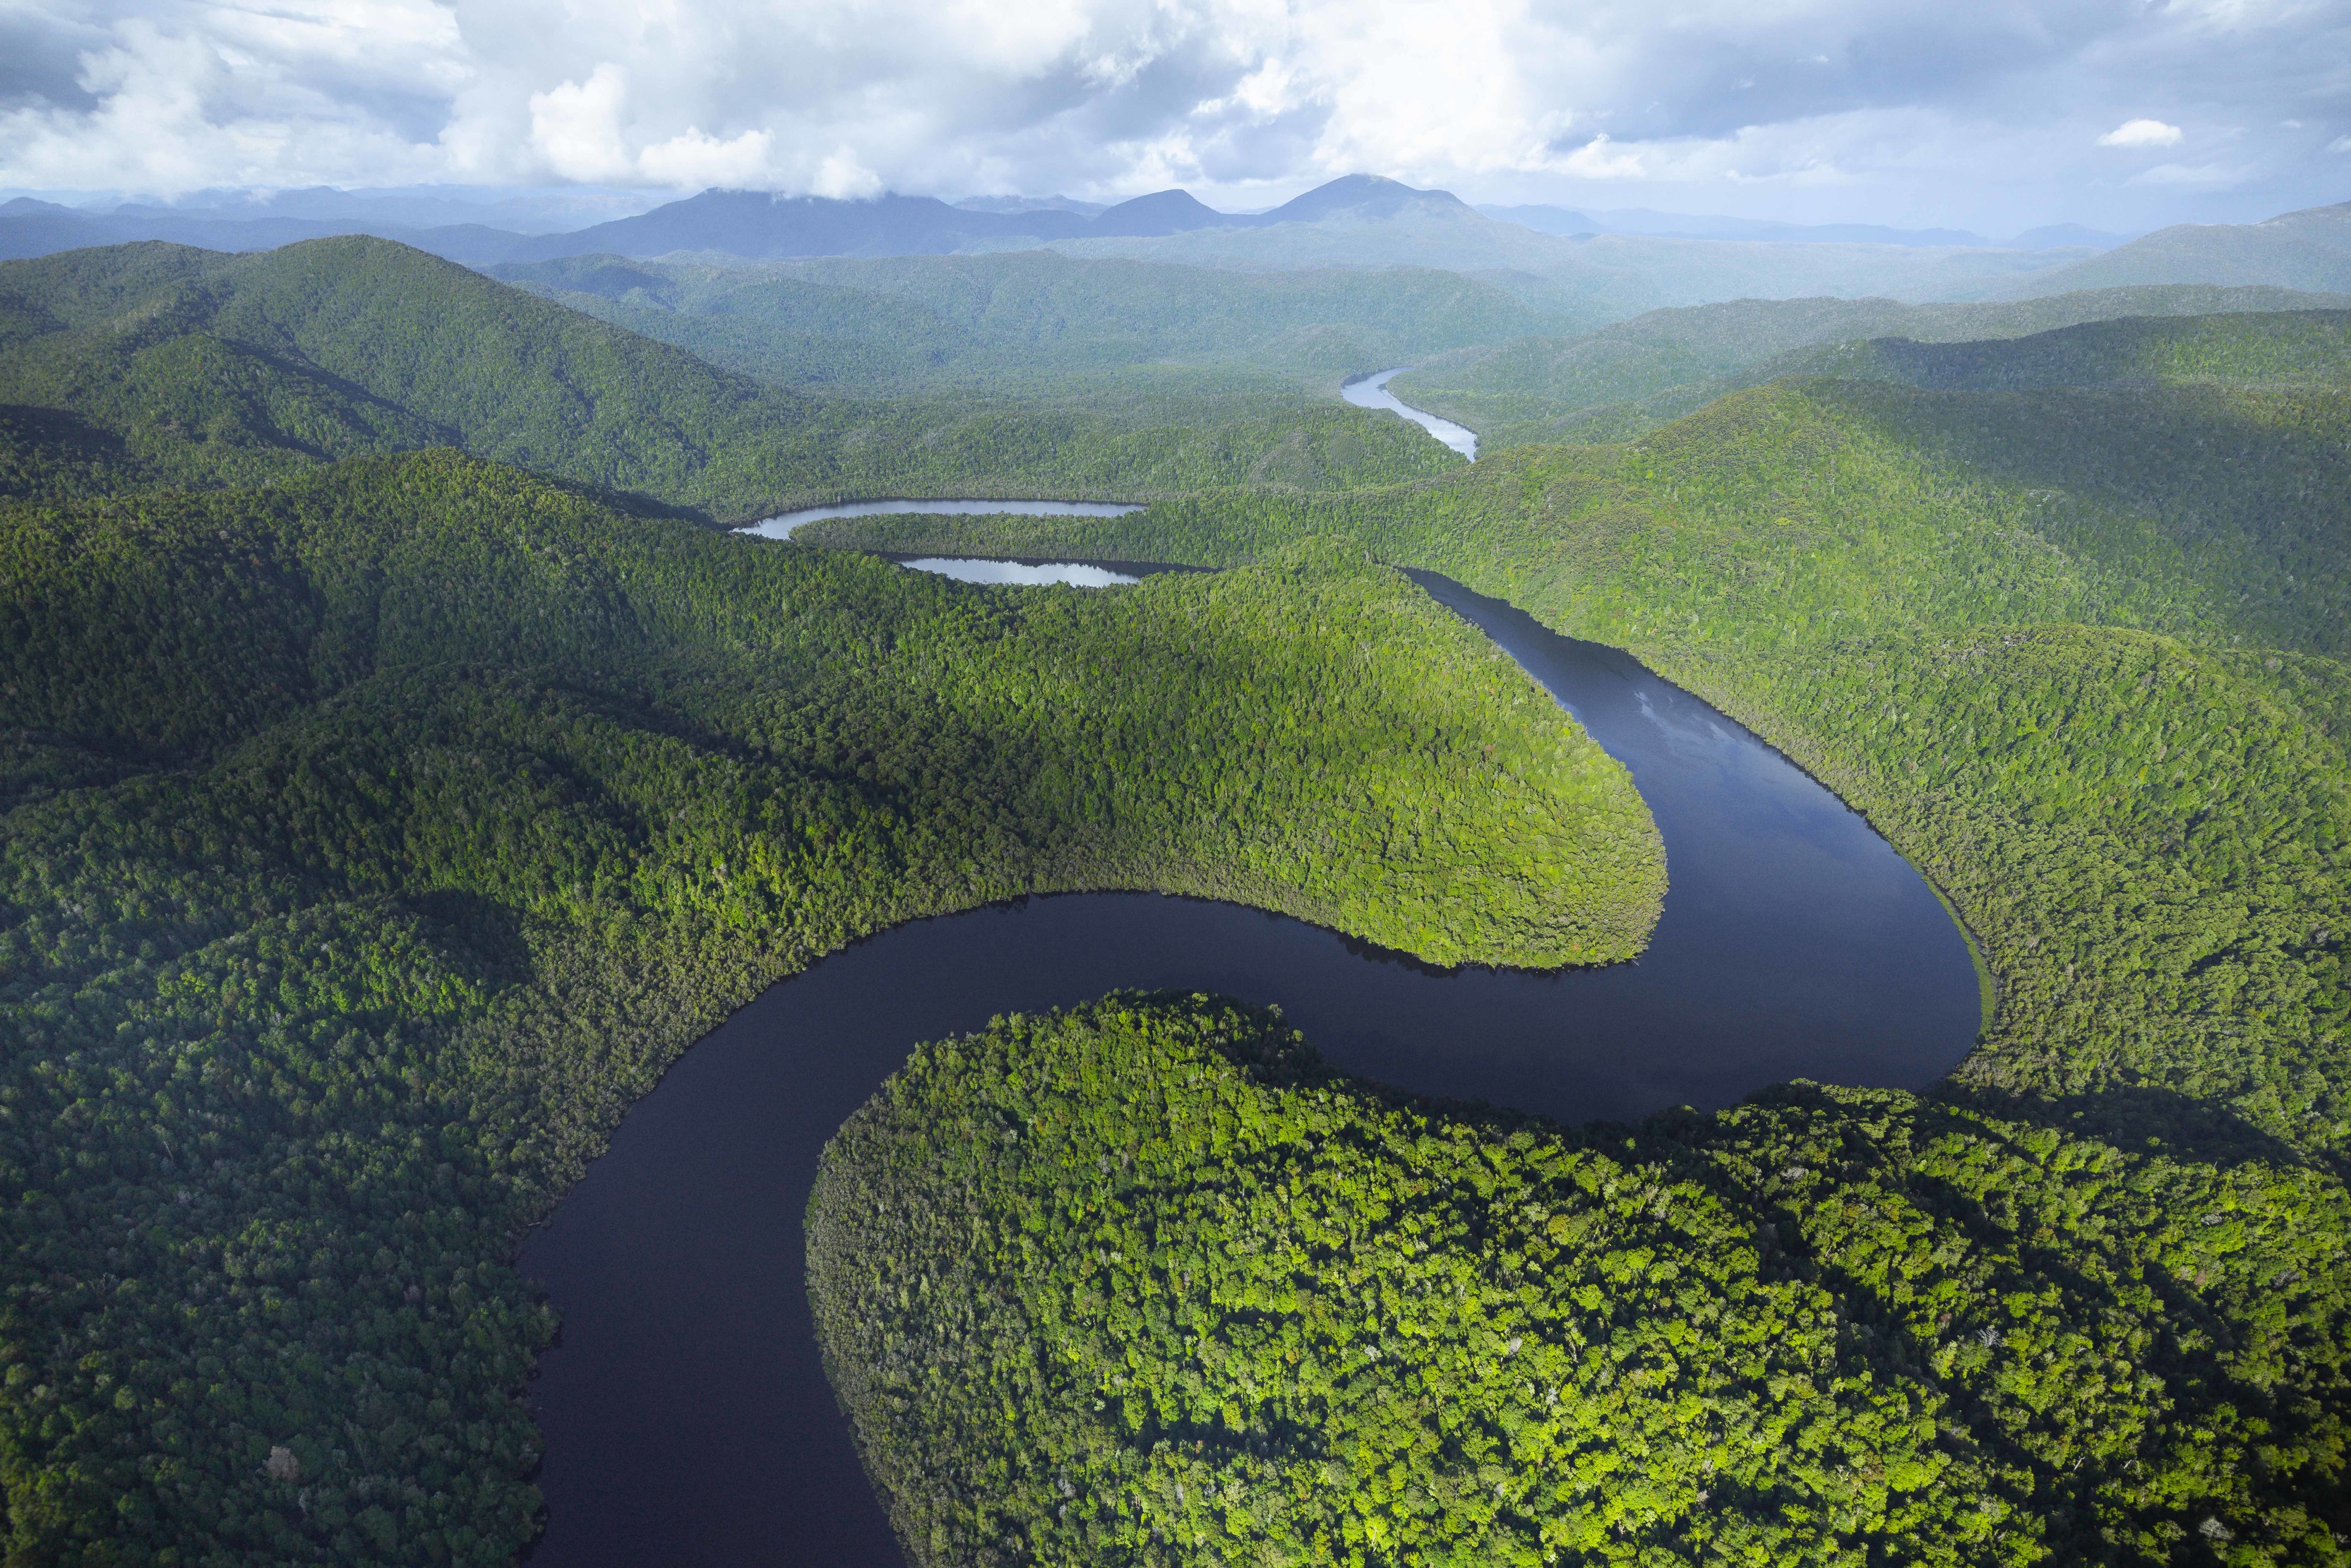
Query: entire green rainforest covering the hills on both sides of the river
pixel 377 819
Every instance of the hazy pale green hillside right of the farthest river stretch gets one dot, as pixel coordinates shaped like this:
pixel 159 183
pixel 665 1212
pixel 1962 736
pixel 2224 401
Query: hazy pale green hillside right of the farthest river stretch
pixel 1637 375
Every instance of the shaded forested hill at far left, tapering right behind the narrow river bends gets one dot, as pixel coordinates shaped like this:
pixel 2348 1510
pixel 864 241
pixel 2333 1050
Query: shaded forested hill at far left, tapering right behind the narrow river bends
pixel 156 368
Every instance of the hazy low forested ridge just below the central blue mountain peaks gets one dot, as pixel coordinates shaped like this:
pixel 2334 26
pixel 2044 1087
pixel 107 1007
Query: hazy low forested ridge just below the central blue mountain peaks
pixel 1033 321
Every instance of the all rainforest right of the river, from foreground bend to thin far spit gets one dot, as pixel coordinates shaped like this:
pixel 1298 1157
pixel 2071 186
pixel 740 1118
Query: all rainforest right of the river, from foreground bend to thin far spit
pixel 2077 650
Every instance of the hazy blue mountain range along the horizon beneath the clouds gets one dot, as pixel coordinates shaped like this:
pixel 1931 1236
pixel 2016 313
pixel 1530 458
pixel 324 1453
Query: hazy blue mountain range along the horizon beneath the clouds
pixel 1586 269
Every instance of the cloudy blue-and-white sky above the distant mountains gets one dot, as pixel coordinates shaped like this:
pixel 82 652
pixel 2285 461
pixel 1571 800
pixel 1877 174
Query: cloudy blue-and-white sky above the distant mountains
pixel 1976 114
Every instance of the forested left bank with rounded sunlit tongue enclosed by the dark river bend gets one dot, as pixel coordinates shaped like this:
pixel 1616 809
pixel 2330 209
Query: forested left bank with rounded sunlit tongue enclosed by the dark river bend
pixel 375 843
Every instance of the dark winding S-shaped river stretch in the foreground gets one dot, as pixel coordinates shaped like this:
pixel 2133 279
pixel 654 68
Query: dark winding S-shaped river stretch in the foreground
pixel 688 1419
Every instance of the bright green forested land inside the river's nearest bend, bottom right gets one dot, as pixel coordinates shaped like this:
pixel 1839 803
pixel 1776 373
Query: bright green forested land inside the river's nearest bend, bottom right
pixel 1144 1285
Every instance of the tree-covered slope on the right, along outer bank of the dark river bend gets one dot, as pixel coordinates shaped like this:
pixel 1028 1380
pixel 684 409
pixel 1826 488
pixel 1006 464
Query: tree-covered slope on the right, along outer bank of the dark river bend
pixel 2112 732
